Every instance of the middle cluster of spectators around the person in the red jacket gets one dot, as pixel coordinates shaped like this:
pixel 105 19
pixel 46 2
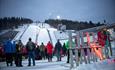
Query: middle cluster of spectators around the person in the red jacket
pixel 49 50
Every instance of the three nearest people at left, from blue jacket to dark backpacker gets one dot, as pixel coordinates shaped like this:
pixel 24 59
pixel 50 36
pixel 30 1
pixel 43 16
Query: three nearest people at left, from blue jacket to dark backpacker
pixel 13 51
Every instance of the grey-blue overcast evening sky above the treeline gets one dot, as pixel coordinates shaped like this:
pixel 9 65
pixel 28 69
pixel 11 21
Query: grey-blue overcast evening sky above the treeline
pixel 80 10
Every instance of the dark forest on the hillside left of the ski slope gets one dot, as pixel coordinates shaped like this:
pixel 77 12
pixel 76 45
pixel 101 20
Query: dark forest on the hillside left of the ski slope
pixel 13 22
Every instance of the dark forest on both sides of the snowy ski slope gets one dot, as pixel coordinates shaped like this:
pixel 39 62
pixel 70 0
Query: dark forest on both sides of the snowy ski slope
pixel 14 22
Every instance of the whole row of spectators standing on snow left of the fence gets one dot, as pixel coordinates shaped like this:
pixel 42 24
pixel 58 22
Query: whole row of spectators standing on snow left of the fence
pixel 14 51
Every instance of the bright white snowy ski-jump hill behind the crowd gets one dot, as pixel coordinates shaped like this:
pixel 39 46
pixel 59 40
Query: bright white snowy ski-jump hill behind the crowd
pixel 38 33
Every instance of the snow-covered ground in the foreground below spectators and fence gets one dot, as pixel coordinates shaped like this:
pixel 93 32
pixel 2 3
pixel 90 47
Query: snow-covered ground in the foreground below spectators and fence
pixel 108 64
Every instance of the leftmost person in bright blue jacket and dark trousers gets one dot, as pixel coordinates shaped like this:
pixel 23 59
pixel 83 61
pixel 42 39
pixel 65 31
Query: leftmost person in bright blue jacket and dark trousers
pixel 8 52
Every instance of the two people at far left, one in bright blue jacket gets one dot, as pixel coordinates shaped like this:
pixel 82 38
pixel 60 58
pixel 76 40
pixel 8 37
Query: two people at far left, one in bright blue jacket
pixel 13 51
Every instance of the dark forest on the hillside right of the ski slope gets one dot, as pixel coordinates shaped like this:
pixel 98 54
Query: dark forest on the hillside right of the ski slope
pixel 72 25
